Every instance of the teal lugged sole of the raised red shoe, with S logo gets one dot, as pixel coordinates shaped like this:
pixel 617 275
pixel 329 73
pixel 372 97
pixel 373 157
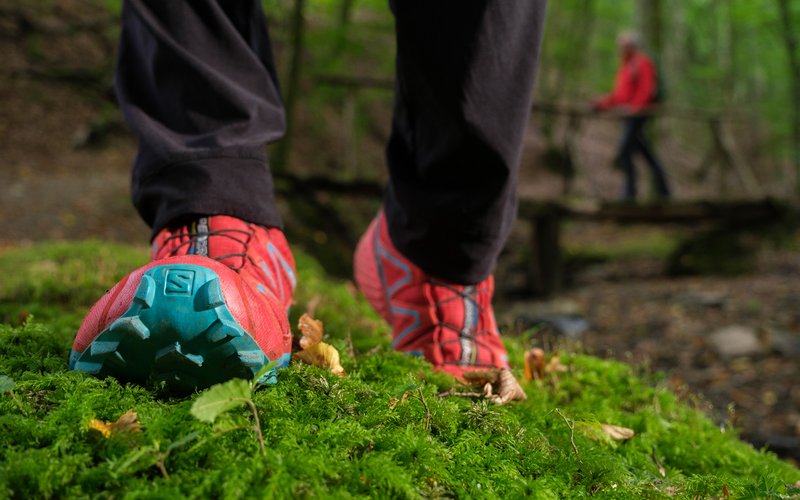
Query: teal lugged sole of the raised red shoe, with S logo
pixel 179 330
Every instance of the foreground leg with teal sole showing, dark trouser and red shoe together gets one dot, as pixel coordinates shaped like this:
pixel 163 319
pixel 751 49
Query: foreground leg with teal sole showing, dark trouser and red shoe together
pixel 196 83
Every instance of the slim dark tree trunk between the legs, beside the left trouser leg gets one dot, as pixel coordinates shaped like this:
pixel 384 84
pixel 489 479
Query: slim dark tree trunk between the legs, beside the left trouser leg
pixel 281 158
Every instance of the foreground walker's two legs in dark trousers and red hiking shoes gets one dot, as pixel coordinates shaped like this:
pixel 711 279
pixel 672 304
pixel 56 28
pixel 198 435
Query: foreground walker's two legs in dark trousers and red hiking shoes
pixel 196 81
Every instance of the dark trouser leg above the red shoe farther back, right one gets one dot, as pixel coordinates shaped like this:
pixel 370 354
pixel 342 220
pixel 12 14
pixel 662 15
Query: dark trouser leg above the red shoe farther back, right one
pixel 465 75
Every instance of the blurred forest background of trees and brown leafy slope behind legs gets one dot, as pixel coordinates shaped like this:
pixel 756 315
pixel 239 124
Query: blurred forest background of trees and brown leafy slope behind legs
pixel 729 130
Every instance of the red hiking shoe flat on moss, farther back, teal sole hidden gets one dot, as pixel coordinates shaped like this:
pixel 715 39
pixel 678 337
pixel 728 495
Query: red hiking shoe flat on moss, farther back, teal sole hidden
pixel 452 325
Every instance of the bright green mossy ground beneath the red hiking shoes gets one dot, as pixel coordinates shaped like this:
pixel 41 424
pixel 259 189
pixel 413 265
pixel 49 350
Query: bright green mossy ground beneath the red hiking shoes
pixel 339 437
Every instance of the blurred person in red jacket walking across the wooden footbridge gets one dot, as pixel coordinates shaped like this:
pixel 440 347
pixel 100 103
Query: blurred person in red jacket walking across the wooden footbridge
pixel 636 88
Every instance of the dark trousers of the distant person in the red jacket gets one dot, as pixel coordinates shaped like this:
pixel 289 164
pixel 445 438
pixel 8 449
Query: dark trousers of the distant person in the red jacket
pixel 634 141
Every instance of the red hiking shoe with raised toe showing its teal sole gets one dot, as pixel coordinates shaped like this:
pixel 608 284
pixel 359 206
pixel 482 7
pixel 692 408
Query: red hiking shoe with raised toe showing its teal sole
pixel 212 305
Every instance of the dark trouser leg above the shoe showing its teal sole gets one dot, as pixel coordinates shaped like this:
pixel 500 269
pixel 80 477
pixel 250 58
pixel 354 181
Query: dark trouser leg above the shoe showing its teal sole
pixel 197 84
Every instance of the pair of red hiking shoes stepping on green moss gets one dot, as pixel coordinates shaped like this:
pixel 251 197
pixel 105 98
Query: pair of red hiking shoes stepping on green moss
pixel 213 304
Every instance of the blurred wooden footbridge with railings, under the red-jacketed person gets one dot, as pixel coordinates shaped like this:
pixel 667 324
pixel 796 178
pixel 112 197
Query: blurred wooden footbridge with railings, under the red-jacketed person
pixel 546 273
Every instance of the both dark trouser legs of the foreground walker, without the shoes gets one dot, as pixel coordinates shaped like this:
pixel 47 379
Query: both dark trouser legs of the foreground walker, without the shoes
pixel 196 81
